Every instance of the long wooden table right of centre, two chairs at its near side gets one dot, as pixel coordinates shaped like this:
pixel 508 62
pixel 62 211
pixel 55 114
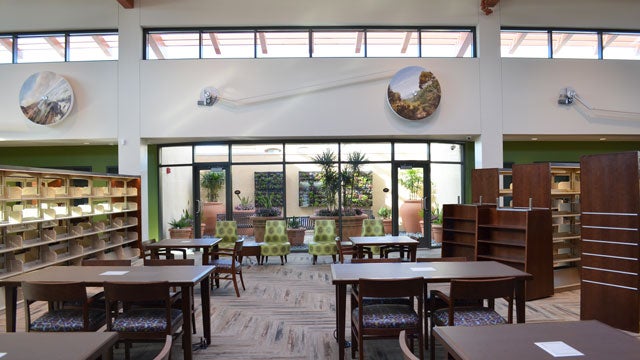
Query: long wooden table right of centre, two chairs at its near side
pixel 348 274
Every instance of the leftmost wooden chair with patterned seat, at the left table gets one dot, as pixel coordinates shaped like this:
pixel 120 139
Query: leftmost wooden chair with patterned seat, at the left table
pixel 61 317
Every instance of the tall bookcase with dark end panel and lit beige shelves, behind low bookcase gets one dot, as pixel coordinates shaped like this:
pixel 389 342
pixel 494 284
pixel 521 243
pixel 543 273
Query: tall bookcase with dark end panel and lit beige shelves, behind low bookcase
pixel 555 186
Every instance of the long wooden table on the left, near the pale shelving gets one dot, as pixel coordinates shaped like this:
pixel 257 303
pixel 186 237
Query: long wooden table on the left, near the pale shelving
pixel 186 277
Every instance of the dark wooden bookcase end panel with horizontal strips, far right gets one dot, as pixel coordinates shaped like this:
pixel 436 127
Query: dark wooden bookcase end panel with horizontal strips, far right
pixel 611 239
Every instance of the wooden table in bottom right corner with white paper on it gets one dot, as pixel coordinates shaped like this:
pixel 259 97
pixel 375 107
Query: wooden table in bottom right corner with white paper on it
pixel 517 341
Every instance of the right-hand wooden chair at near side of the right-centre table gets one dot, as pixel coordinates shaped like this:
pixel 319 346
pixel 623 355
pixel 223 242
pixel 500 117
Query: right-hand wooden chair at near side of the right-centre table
pixel 471 290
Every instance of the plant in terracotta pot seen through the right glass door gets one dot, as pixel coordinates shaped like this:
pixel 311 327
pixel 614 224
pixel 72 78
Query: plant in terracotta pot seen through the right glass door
pixel 412 180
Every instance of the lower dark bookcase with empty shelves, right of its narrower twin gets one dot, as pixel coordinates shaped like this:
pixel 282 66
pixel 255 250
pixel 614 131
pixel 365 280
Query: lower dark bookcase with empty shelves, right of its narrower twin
pixel 518 238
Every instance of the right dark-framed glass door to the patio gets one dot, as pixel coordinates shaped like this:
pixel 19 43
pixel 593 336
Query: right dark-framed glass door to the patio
pixel 412 200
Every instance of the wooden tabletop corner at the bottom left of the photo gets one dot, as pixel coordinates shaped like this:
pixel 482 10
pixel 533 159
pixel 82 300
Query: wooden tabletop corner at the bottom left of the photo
pixel 56 346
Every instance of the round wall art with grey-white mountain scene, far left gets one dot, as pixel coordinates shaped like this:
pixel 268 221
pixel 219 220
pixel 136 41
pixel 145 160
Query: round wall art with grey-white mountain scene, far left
pixel 46 98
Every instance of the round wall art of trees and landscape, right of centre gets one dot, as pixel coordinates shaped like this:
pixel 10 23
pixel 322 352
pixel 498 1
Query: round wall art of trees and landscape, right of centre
pixel 414 93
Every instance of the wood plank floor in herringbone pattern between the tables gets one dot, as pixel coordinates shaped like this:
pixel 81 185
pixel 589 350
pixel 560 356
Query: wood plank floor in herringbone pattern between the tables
pixel 288 312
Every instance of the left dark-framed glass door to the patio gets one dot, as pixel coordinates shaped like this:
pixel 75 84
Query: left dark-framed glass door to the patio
pixel 212 197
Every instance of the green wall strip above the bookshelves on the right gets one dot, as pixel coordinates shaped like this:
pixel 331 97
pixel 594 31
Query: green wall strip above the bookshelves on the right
pixel 526 152
